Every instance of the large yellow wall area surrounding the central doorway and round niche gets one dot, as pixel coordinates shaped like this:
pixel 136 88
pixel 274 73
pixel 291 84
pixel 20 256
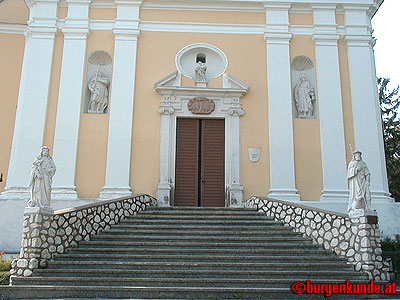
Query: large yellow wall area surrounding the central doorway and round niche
pixel 247 64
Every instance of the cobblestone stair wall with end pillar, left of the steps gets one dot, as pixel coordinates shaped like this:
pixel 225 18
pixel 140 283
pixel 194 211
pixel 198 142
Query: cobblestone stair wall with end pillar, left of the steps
pixel 46 233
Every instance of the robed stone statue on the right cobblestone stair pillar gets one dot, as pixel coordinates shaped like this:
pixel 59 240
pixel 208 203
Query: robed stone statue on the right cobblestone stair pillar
pixel 358 178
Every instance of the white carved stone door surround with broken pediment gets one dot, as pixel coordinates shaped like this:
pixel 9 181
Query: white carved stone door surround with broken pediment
pixel 228 106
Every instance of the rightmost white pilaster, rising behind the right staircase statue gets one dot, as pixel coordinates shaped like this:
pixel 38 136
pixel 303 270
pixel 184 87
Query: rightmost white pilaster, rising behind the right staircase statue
pixel 365 103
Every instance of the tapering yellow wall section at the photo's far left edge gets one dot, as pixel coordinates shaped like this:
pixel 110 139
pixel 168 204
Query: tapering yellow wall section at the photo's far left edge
pixel 11 57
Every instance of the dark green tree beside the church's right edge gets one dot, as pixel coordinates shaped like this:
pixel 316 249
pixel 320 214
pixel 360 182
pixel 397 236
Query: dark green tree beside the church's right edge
pixel 390 103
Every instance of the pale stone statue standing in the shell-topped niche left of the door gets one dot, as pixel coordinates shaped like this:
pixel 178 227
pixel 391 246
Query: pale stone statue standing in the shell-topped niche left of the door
pixel 98 88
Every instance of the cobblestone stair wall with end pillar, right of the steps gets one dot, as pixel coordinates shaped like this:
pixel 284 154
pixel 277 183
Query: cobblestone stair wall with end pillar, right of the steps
pixel 356 239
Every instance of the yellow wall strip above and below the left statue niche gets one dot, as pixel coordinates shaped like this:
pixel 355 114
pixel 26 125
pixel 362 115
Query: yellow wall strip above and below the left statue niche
pixel 93 134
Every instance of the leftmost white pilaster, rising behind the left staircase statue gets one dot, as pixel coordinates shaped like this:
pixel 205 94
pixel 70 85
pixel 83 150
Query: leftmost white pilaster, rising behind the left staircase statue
pixel 30 120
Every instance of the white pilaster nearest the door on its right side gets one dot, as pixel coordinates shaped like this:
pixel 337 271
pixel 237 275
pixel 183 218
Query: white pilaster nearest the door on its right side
pixel 280 112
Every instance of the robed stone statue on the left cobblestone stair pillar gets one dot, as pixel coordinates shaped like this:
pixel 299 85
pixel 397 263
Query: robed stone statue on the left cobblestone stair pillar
pixel 43 170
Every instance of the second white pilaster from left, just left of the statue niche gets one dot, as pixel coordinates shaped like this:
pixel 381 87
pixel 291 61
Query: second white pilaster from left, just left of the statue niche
pixel 70 97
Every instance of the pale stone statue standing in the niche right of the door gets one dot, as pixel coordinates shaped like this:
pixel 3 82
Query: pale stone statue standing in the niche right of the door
pixel 304 96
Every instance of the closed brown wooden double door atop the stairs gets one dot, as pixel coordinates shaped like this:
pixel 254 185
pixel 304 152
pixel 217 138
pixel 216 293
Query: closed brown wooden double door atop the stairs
pixel 200 162
